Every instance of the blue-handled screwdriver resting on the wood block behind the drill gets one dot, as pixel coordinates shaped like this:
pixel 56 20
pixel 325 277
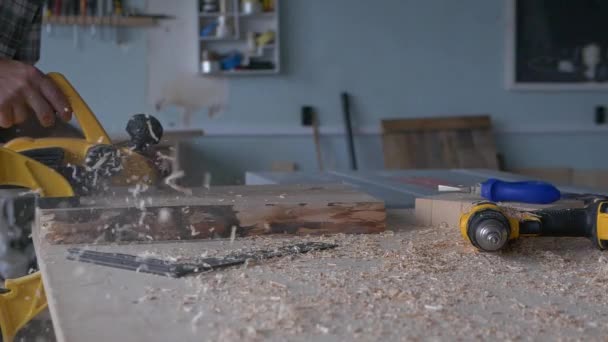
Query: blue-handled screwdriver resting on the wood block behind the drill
pixel 495 190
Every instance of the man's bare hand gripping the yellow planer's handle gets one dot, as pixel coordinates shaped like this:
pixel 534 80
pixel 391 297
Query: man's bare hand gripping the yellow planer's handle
pixel 24 90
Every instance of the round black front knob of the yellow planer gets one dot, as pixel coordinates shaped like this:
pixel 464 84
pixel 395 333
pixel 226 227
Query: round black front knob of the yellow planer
pixel 144 130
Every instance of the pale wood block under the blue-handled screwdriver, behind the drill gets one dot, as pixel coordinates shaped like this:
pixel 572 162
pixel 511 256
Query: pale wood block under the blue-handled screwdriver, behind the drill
pixel 446 209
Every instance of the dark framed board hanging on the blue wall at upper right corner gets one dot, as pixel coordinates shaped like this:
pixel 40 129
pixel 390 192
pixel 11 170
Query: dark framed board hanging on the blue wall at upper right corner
pixel 561 41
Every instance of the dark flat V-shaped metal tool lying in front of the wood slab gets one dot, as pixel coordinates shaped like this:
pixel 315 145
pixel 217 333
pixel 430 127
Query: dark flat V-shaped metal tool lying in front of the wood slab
pixel 180 269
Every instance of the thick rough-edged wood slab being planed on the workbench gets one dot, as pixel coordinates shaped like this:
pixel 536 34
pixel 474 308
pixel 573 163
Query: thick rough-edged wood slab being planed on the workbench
pixel 251 210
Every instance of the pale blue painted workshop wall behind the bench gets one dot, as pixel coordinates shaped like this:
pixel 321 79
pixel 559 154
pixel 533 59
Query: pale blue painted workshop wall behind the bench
pixel 396 58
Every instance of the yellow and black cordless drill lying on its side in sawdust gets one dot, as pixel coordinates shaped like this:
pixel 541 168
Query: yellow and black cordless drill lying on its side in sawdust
pixel 489 227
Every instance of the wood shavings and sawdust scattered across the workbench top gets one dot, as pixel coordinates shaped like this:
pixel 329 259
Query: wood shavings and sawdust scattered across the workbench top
pixel 405 284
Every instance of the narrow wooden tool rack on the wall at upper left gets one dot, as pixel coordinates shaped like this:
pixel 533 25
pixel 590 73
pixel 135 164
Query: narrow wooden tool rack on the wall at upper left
pixel 130 21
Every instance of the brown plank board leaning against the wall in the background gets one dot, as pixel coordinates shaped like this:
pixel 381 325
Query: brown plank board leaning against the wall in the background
pixel 439 143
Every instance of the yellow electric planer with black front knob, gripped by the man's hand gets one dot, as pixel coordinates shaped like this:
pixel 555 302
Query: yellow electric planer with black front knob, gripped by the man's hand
pixel 85 161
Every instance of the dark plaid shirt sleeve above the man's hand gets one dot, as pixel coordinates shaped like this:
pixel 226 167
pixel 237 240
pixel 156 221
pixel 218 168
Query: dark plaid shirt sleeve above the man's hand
pixel 20 26
